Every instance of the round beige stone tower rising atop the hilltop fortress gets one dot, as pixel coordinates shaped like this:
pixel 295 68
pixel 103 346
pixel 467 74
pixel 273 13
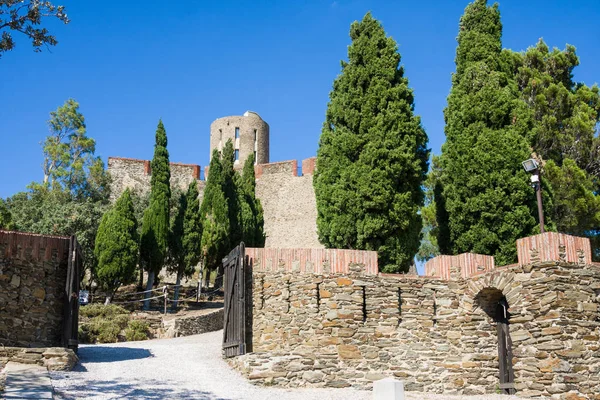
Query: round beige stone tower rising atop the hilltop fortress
pixel 249 134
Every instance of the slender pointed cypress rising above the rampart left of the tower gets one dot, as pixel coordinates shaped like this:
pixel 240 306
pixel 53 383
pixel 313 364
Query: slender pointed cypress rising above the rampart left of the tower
pixel 155 226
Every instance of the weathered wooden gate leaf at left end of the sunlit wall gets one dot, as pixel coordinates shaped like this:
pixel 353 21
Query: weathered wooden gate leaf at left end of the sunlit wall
pixel 234 324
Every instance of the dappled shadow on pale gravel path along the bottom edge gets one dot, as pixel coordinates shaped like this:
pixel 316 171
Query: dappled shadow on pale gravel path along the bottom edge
pixel 137 390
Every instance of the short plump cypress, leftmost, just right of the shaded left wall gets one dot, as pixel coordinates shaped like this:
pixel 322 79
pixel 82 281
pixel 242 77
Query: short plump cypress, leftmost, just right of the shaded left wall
pixel 117 246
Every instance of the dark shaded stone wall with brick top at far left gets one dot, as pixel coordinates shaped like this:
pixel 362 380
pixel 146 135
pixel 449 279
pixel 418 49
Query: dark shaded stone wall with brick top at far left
pixel 33 271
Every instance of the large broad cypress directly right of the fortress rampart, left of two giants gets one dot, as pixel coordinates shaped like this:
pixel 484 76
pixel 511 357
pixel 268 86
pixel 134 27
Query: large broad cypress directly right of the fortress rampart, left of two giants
pixel 372 157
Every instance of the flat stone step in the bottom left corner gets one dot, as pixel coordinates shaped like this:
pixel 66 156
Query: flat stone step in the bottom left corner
pixel 26 381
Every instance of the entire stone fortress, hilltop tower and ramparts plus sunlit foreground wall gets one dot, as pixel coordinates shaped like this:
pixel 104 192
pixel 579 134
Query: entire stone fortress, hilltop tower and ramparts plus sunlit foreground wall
pixel 328 318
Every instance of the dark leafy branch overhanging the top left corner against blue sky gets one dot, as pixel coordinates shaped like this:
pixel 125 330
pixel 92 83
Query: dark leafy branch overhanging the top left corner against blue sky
pixel 18 16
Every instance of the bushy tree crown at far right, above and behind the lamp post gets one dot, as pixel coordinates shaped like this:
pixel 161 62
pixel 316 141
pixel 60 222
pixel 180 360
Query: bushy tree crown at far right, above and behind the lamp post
pixel 565 113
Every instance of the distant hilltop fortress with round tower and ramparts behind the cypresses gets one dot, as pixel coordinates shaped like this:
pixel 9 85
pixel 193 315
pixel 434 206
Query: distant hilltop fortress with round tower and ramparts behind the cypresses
pixel 285 191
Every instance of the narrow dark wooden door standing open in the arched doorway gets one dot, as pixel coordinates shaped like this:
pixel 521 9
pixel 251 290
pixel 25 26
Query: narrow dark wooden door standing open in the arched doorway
pixel 507 376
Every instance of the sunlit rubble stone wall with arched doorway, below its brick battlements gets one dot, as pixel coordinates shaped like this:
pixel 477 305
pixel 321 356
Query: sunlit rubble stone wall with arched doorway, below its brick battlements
pixel 337 330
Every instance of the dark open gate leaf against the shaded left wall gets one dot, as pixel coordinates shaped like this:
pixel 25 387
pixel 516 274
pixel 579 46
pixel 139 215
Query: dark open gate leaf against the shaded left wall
pixel 71 309
